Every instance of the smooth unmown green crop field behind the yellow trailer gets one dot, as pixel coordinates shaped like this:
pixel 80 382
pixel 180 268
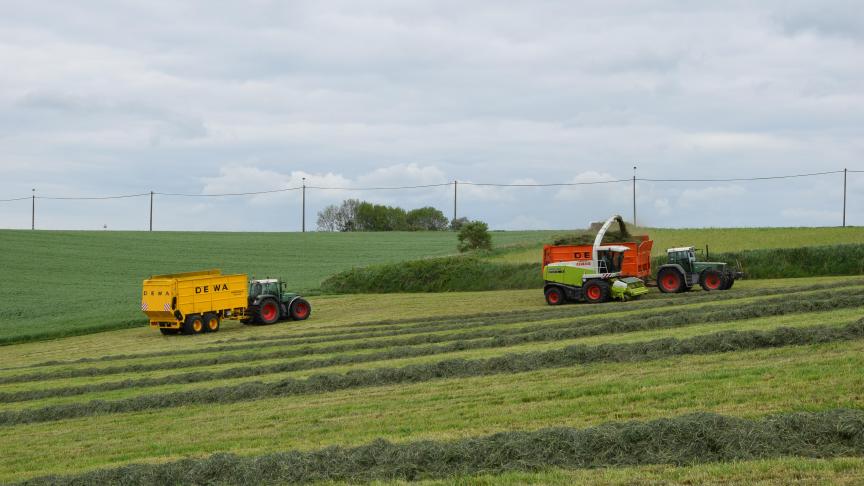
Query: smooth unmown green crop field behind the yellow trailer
pixel 59 283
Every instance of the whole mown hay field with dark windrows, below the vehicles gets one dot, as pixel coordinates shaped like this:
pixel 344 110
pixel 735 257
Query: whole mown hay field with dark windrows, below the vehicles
pixel 761 383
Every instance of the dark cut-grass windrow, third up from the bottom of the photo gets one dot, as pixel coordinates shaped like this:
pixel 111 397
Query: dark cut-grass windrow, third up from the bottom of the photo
pixel 489 339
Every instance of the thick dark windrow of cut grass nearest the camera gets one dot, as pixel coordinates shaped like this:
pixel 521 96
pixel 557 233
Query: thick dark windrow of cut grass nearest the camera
pixel 685 440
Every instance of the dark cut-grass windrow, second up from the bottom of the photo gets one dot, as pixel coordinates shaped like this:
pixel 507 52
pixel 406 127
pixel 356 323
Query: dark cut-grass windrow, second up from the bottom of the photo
pixel 726 341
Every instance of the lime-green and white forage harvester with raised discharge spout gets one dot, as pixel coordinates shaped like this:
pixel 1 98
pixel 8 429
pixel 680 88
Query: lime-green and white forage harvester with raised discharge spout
pixel 593 276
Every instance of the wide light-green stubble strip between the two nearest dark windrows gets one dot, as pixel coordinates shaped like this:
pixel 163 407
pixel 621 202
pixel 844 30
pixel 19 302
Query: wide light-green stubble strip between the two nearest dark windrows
pixel 747 384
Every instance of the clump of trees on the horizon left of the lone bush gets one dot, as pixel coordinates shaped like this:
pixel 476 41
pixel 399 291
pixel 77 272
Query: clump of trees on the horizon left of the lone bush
pixel 356 215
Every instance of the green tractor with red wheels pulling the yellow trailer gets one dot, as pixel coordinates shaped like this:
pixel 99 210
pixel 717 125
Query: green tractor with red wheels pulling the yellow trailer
pixel 269 302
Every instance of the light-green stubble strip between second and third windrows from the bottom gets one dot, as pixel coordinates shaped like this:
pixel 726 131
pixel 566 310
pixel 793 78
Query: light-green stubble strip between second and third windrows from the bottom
pixel 68 391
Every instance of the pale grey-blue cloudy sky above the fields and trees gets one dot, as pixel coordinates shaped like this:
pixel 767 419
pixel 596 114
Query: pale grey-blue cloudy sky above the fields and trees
pixel 118 97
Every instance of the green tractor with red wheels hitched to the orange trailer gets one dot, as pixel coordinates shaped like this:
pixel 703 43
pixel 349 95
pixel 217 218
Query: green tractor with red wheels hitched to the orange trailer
pixel 682 272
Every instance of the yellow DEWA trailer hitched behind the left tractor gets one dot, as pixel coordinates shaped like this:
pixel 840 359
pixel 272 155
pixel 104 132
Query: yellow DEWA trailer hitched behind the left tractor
pixel 194 302
